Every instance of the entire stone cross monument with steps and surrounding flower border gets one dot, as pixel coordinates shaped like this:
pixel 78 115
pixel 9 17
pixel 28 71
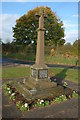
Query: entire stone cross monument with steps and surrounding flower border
pixel 38 89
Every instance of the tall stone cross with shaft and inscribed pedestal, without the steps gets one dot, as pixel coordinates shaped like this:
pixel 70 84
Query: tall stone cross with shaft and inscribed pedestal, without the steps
pixel 39 69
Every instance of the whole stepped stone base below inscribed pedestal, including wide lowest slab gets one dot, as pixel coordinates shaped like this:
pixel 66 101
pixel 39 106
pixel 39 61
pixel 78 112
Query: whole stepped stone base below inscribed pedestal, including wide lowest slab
pixel 33 90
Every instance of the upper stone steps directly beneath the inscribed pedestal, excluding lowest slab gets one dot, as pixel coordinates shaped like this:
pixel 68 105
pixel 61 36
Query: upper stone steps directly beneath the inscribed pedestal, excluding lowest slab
pixel 31 88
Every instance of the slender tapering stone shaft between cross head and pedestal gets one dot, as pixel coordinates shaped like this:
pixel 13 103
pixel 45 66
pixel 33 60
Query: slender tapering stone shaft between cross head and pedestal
pixel 40 43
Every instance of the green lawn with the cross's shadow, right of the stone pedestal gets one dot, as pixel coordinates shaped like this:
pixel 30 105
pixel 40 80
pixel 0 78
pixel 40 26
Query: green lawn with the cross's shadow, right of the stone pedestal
pixel 65 73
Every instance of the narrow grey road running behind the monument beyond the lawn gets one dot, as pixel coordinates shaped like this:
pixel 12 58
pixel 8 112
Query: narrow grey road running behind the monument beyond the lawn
pixel 9 62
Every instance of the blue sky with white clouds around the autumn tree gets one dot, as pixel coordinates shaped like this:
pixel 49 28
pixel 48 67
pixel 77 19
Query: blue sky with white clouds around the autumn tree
pixel 67 11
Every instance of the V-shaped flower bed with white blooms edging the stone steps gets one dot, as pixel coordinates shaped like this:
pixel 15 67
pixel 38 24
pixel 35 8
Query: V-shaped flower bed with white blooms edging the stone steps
pixel 25 105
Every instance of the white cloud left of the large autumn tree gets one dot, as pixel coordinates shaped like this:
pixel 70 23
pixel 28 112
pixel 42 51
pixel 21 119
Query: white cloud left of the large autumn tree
pixel 6 23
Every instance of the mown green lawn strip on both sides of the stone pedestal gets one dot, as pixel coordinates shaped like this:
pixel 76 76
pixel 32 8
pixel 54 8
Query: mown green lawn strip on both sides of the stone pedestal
pixel 16 72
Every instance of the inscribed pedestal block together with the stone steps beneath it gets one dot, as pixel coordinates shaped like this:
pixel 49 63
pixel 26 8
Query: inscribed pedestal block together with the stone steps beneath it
pixel 38 85
